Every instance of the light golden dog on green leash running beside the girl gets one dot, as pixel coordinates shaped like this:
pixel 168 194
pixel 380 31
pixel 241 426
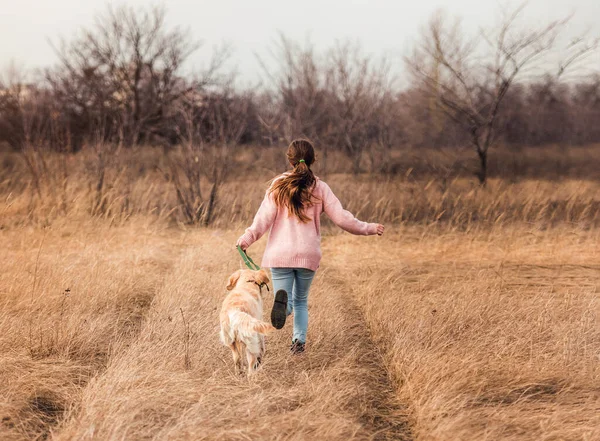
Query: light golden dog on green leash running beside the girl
pixel 242 327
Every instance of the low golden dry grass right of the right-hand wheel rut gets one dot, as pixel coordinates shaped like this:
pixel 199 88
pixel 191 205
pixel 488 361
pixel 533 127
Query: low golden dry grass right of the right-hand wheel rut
pixel 494 335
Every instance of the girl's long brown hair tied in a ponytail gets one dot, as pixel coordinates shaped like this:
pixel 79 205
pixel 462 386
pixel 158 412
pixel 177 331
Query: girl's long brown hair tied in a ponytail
pixel 294 190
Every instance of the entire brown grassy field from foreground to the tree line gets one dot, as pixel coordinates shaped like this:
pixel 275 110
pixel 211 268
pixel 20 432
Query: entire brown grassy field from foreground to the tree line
pixel 475 317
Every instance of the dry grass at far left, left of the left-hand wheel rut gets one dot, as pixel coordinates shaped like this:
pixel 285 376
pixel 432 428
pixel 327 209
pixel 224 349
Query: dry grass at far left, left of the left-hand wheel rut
pixel 90 299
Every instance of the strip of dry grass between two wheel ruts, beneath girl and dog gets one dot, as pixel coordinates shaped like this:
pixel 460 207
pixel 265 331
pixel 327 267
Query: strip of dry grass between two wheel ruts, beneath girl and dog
pixel 338 390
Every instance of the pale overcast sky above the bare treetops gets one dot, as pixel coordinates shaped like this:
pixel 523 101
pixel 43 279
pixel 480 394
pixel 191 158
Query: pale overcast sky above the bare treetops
pixel 383 26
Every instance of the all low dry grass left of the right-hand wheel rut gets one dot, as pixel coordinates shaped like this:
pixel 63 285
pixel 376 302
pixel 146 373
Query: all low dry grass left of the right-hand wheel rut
pixel 112 375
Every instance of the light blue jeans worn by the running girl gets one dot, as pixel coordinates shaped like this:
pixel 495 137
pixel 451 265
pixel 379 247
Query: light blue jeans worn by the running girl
pixel 296 282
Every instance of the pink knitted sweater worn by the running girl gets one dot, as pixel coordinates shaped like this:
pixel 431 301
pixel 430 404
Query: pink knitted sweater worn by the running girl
pixel 295 244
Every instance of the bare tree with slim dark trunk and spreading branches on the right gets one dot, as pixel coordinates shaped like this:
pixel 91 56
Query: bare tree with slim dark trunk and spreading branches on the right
pixel 470 77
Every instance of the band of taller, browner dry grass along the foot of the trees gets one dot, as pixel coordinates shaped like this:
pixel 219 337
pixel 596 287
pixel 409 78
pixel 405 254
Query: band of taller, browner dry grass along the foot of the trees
pixel 134 186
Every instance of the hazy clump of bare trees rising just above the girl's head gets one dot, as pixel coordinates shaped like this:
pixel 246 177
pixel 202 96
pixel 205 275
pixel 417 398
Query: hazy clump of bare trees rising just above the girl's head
pixel 335 98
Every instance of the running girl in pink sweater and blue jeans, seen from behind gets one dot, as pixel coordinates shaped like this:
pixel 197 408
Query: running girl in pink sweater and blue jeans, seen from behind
pixel 291 210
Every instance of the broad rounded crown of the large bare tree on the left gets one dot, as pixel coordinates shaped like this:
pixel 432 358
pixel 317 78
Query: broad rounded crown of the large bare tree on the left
pixel 124 71
